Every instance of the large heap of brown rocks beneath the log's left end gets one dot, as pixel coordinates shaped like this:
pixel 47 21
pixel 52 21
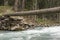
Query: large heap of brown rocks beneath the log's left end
pixel 9 23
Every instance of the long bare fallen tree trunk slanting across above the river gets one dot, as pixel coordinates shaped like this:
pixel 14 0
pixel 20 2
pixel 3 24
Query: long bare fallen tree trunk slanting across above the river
pixel 34 12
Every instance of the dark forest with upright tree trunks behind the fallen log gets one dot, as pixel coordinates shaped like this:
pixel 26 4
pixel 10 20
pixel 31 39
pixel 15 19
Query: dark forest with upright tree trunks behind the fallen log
pixel 21 5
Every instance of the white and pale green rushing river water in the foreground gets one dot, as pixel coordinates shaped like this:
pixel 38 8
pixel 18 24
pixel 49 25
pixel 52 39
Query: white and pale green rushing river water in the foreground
pixel 39 33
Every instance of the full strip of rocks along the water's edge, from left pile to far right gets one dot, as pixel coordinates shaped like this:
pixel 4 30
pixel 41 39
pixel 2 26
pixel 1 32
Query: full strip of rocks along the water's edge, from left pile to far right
pixel 15 24
